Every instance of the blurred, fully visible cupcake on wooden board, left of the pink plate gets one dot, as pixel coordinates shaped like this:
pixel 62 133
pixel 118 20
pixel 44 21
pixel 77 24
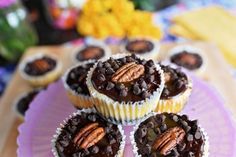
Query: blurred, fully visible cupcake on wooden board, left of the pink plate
pixel 40 69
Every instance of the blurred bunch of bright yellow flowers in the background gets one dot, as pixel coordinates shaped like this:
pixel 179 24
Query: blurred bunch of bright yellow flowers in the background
pixel 118 18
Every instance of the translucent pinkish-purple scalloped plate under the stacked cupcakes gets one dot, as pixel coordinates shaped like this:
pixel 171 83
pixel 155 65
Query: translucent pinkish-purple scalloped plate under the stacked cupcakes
pixel 51 107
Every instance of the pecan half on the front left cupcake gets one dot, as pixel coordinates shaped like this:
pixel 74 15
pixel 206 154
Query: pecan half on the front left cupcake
pixel 89 136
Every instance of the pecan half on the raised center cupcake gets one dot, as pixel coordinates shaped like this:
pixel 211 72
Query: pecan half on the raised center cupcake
pixel 128 72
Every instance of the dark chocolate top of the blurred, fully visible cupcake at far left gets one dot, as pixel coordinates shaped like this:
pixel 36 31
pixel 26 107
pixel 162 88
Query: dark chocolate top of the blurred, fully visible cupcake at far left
pixel 40 66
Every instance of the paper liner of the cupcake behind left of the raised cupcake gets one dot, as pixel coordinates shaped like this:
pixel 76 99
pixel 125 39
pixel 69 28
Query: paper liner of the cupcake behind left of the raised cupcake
pixel 78 100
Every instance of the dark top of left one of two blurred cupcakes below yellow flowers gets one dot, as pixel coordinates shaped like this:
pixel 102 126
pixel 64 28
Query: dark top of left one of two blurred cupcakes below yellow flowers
pixel 90 52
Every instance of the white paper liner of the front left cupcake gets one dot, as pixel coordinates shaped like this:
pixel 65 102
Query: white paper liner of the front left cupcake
pixel 78 112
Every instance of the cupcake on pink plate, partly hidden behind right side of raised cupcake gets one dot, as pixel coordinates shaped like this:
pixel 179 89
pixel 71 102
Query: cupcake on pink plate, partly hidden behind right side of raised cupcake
pixel 176 92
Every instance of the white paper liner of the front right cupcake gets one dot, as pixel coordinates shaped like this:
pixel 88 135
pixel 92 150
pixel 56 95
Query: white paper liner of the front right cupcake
pixel 135 148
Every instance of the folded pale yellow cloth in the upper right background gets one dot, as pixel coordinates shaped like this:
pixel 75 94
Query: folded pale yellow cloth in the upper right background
pixel 210 24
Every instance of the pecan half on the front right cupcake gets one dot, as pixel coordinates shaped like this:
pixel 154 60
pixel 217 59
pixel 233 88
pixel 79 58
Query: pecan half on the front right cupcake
pixel 168 140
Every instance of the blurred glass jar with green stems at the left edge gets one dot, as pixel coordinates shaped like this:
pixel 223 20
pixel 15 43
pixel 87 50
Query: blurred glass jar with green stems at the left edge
pixel 16 33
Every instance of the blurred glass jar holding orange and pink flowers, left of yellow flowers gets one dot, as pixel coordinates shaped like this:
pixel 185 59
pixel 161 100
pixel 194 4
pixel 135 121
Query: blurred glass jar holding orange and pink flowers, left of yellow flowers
pixel 63 14
